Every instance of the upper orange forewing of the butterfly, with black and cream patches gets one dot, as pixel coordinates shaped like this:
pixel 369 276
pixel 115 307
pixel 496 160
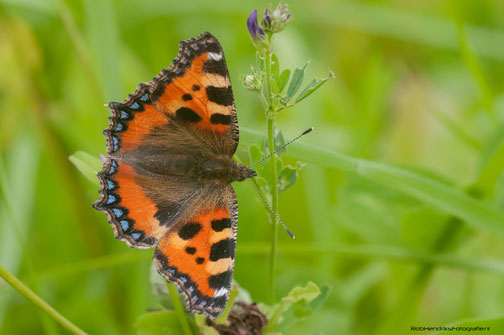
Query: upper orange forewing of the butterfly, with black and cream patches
pixel 196 92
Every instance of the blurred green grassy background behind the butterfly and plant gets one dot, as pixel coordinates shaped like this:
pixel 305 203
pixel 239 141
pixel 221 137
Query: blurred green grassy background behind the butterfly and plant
pixel 419 85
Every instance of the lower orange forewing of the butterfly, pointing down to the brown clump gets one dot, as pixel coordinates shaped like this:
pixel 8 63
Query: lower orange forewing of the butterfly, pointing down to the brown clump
pixel 198 255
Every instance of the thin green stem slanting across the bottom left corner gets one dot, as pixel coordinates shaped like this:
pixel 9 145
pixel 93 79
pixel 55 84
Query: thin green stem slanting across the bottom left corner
pixel 37 301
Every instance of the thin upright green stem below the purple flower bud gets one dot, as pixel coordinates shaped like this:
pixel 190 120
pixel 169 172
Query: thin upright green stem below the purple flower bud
pixel 270 114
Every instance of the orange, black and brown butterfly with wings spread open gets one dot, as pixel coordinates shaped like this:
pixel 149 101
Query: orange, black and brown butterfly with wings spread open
pixel 166 182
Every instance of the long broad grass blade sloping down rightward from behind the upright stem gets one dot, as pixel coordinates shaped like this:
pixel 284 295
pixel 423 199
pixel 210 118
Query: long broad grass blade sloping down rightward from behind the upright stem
pixel 478 214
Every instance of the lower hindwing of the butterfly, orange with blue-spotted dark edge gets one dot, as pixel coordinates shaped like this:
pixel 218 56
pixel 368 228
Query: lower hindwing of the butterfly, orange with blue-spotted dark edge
pixel 142 206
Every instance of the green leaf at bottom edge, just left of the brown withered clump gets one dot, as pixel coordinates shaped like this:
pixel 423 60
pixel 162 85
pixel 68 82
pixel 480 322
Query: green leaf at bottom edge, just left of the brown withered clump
pixel 161 322
